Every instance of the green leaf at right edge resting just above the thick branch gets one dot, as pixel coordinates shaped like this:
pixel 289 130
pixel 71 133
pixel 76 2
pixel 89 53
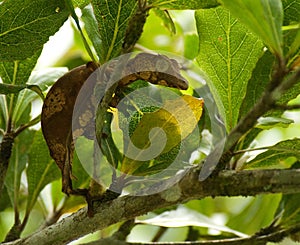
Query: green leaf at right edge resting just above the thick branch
pixel 281 155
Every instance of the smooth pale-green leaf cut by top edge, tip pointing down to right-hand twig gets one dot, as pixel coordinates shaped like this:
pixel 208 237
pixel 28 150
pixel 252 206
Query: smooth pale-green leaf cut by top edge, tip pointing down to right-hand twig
pixel 262 17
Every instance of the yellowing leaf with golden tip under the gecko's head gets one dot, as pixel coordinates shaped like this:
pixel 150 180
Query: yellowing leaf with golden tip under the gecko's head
pixel 160 131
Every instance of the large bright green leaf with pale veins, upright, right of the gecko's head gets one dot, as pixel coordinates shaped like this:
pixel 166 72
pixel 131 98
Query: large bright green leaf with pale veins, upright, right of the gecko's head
pixel 228 54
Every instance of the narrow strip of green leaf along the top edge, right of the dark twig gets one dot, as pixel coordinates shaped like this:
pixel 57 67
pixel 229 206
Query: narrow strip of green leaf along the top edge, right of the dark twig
pixel 183 4
